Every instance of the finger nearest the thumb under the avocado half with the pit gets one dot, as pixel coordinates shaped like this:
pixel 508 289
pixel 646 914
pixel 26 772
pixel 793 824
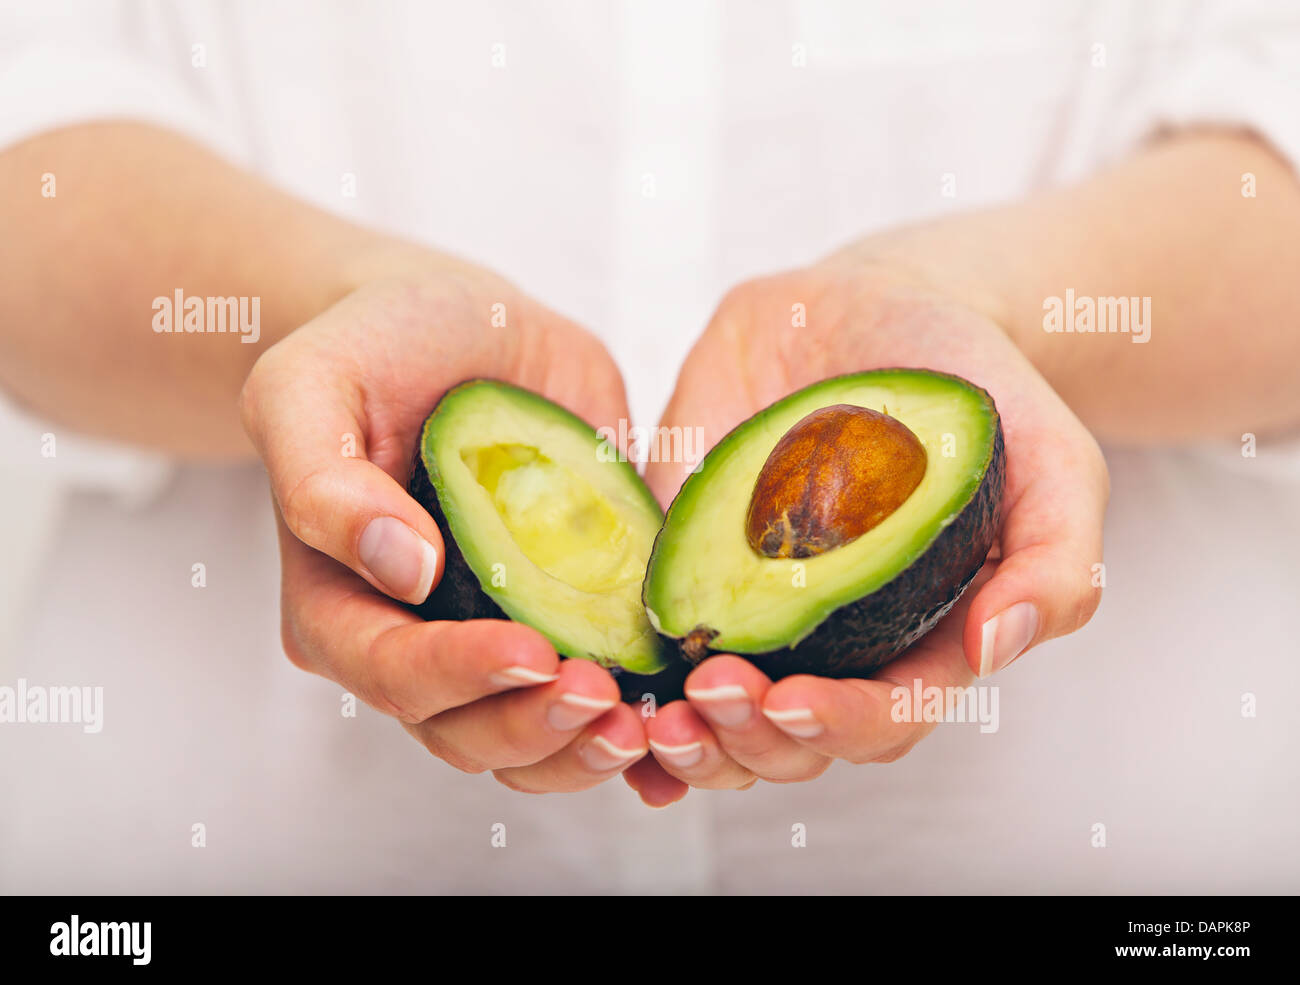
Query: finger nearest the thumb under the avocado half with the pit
pixel 859 721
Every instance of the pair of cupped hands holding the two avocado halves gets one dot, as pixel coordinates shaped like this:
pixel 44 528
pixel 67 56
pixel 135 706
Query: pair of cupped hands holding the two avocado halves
pixel 336 411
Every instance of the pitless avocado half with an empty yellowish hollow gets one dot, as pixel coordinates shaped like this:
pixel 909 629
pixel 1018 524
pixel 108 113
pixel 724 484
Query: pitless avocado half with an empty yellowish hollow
pixel 540 524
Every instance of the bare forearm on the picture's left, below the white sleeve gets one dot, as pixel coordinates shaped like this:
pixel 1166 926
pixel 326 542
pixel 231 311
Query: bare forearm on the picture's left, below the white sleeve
pixel 140 215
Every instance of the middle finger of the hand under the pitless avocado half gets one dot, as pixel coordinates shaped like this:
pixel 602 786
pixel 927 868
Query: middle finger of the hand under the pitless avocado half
pixel 526 726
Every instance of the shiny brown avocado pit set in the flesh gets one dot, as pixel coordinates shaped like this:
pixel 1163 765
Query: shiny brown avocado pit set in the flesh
pixel 831 479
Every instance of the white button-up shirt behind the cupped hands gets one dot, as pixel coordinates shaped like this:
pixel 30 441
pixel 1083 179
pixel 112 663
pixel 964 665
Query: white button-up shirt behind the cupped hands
pixel 627 166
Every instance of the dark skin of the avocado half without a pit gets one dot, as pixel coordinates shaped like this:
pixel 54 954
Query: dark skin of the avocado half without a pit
pixel 460 597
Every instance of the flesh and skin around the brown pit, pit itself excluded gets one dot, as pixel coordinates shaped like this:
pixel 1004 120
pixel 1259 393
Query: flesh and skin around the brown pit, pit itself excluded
pixel 846 611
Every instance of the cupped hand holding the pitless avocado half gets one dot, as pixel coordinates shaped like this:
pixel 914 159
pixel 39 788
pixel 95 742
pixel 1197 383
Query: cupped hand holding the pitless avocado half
pixel 336 411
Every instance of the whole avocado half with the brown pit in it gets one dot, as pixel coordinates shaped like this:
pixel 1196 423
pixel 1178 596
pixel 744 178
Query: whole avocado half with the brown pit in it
pixel 834 530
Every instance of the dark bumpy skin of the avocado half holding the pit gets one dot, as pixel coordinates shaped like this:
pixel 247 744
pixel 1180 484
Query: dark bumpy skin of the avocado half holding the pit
pixel 859 639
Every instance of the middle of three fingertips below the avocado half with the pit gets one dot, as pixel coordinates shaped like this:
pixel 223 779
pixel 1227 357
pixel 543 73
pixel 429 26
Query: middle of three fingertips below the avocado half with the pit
pixel 729 692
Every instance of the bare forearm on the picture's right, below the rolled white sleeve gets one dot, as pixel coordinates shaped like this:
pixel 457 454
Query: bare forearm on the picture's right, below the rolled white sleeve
pixel 1172 225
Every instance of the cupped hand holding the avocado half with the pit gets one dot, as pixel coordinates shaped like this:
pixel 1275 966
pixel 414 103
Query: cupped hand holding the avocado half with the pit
pixel 736 724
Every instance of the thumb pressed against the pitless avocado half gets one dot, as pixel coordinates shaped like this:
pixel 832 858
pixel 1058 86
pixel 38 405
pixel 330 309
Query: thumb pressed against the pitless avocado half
pixel 331 496
